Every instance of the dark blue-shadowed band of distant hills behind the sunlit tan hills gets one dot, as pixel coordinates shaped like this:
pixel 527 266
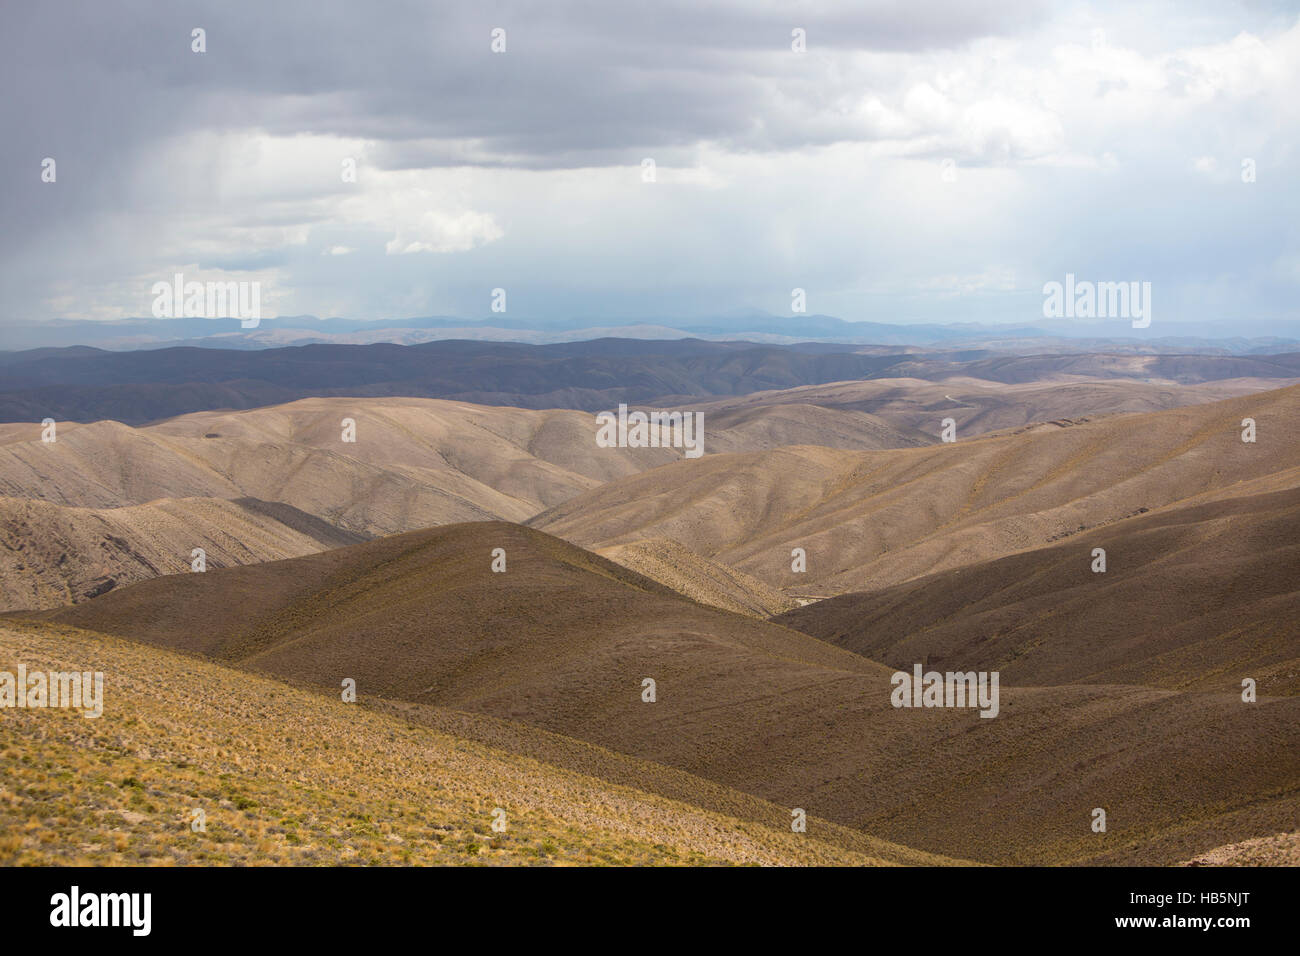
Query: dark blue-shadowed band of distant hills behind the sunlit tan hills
pixel 84 384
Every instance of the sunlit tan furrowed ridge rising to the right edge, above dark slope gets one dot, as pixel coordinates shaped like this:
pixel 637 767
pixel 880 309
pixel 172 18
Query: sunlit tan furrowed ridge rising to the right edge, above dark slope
pixel 872 520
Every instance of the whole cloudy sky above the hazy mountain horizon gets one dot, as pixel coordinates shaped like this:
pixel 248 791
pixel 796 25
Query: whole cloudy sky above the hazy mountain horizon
pixel 913 163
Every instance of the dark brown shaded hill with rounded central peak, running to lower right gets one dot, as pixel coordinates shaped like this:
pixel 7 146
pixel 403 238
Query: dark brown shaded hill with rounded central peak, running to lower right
pixel 564 641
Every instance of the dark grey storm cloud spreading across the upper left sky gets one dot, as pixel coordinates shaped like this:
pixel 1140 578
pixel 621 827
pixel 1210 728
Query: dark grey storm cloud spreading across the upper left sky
pixel 577 77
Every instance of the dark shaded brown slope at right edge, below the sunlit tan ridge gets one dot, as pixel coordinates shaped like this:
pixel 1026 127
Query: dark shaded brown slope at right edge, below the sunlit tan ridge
pixel 1201 596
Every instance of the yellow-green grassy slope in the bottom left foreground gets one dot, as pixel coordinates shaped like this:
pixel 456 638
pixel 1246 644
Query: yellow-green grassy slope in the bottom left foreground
pixel 285 776
